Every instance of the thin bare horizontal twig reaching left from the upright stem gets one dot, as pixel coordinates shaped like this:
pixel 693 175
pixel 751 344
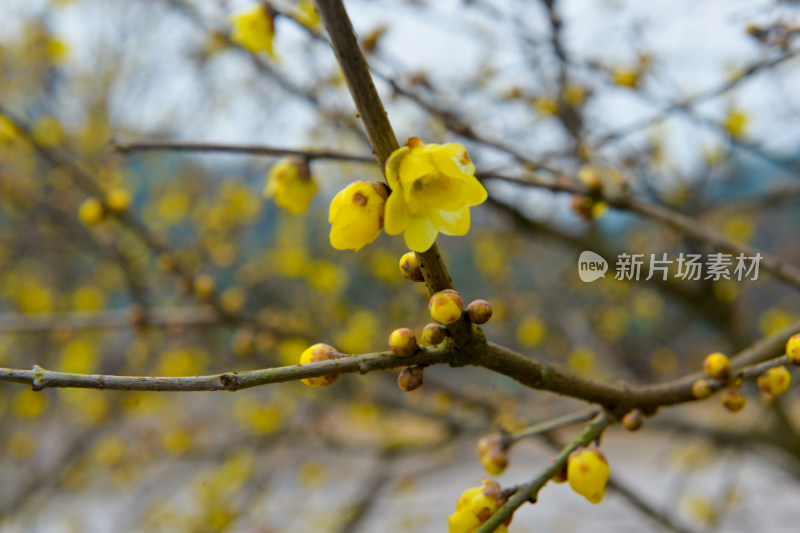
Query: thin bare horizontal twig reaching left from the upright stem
pixel 309 155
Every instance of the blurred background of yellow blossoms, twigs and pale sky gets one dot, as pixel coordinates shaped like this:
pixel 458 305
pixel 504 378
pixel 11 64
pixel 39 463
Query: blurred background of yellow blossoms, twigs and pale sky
pixel 689 104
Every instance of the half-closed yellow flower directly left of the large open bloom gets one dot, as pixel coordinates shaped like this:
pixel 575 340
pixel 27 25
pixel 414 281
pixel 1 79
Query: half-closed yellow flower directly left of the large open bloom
pixel 356 215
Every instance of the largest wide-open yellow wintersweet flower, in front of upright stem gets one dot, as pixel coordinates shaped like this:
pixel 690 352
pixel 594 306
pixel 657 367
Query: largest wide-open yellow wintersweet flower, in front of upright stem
pixel 433 187
